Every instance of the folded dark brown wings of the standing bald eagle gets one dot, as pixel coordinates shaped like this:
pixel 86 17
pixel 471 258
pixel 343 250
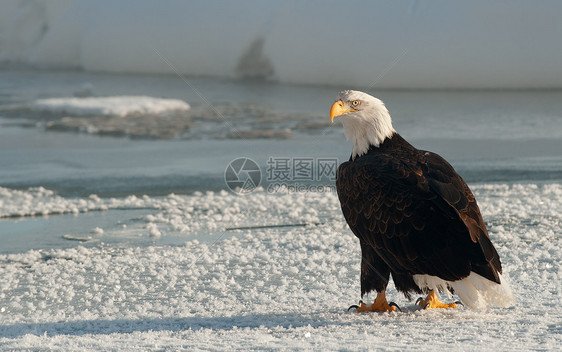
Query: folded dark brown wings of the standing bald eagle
pixel 414 216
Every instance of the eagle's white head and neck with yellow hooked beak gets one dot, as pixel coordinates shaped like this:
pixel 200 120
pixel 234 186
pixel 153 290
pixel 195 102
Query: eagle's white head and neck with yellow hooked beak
pixel 365 119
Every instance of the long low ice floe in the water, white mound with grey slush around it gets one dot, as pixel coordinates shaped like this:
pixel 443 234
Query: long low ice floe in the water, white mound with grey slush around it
pixel 159 118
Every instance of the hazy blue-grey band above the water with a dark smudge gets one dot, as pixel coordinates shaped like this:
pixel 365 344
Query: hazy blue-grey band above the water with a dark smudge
pixel 403 44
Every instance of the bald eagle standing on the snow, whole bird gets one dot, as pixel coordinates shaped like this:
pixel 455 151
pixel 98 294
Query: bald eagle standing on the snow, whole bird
pixel 415 217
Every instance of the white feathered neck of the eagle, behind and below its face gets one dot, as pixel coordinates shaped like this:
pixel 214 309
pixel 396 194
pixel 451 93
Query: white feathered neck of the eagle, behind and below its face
pixel 366 130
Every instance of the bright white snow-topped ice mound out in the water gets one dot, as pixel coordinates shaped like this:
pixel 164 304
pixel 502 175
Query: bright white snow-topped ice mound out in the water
pixel 109 106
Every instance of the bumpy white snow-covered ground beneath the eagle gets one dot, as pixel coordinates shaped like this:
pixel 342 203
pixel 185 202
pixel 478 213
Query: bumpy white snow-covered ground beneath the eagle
pixel 275 288
